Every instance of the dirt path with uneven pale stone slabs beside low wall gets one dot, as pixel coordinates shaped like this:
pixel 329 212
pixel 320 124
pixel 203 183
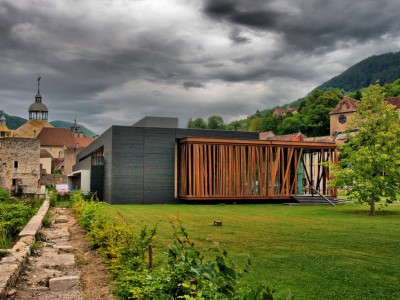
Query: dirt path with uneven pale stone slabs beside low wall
pixel 64 267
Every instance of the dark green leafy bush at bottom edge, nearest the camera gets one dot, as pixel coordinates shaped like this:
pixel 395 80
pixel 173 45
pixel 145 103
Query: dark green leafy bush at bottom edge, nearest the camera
pixel 189 273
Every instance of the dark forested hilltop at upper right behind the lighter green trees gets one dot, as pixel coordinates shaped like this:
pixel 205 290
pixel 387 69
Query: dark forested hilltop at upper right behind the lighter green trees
pixel 385 68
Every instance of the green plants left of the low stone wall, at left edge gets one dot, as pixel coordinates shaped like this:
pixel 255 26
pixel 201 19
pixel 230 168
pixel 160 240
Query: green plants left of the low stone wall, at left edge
pixel 14 215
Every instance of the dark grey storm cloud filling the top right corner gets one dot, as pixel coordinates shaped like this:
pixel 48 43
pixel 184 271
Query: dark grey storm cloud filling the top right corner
pixel 311 25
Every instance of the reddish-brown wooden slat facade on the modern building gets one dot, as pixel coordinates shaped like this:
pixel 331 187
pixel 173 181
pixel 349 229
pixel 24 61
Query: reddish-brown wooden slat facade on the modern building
pixel 251 169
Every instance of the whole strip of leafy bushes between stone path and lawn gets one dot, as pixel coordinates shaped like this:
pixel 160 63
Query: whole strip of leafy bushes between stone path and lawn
pixel 188 272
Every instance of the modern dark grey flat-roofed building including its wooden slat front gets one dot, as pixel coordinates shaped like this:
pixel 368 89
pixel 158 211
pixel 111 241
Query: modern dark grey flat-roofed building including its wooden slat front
pixel 153 164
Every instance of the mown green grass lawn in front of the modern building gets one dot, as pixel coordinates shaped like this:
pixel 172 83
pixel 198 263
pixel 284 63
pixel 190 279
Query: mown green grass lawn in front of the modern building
pixel 313 252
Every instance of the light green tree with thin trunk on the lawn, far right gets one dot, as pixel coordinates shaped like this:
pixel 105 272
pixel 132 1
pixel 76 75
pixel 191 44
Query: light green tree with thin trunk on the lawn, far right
pixel 369 167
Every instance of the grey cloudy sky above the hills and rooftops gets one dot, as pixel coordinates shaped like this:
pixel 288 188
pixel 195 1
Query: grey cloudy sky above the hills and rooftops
pixel 111 62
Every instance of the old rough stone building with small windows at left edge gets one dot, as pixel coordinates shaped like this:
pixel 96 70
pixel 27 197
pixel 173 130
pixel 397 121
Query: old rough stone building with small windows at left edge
pixel 19 164
